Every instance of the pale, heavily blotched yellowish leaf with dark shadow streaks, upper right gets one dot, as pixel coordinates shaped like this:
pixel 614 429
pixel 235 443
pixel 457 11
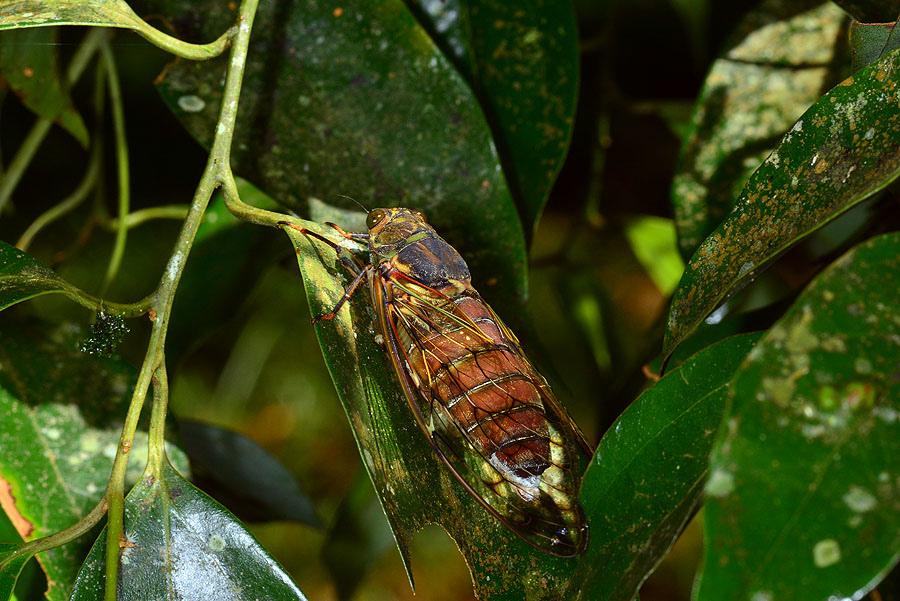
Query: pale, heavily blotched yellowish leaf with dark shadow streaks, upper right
pixel 780 60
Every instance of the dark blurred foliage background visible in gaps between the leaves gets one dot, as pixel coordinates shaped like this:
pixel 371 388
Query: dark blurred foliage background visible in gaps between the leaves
pixel 603 262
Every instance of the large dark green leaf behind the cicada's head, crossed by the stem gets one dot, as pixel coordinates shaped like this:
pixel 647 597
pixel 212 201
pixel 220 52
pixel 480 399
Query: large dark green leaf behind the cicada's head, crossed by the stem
pixel 356 100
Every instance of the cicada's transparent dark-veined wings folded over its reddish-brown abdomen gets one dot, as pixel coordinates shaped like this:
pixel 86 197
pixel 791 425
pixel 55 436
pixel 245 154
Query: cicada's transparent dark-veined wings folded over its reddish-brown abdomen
pixel 540 505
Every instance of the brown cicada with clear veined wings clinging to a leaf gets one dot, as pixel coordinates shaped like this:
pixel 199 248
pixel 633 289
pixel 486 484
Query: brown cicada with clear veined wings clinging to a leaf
pixel 490 417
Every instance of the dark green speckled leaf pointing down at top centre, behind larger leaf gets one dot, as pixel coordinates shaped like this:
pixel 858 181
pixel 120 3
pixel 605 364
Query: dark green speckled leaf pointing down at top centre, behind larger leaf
pixel 523 65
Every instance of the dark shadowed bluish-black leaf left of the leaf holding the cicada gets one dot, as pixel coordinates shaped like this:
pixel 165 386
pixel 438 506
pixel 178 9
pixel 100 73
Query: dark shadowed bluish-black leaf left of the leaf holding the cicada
pixel 245 475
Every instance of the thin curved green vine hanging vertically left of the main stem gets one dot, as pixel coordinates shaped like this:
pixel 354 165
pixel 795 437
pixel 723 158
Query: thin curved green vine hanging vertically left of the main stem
pixel 123 176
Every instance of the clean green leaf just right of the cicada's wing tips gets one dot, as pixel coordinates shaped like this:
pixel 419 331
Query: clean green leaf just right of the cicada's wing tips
pixel 648 472
